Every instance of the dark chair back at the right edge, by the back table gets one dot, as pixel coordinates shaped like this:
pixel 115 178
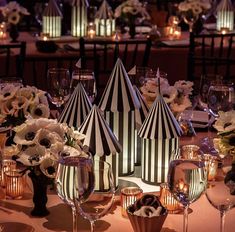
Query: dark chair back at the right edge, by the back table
pixel 211 54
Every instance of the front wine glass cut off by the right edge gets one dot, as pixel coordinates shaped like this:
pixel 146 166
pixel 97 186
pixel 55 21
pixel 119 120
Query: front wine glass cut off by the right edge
pixel 221 192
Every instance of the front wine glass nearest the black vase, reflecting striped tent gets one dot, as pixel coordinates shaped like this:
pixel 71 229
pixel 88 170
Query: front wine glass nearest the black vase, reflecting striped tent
pixel 74 178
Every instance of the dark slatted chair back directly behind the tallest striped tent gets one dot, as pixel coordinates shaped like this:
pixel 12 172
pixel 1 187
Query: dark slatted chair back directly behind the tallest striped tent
pixel 101 55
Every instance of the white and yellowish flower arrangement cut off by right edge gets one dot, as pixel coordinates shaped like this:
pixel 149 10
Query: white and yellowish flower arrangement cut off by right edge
pixel 225 125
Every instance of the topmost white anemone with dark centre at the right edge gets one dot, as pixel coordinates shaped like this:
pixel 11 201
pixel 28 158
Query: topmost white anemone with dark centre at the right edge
pixel 225 122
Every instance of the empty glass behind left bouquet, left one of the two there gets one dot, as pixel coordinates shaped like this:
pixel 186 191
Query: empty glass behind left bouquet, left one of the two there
pixel 58 86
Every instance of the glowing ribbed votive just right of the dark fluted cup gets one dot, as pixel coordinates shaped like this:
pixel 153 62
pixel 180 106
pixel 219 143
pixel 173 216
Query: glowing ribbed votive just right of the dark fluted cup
pixel 167 199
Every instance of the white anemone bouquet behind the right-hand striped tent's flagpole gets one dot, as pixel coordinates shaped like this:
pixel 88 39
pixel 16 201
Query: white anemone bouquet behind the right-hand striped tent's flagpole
pixel 176 96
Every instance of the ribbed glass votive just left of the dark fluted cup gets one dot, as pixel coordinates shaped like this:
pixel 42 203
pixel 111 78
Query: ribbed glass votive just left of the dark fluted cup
pixel 128 196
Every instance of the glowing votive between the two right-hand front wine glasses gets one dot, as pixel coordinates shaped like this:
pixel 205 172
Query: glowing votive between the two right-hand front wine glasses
pixel 211 164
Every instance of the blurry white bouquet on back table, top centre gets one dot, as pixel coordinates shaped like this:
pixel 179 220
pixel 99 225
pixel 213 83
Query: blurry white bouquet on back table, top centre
pixel 131 9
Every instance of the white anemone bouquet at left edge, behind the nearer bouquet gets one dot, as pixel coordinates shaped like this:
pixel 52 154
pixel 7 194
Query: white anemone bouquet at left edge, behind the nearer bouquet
pixel 17 103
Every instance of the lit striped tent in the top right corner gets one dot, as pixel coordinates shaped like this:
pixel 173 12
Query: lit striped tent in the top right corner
pixel 225 15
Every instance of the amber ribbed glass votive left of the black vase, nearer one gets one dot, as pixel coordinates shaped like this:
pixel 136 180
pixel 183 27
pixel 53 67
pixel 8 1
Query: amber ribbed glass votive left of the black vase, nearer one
pixel 15 182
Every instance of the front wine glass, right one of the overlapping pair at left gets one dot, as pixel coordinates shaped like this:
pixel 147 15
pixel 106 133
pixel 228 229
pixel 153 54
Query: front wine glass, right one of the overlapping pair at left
pixel 101 200
